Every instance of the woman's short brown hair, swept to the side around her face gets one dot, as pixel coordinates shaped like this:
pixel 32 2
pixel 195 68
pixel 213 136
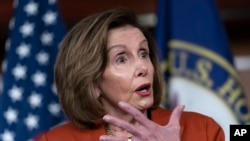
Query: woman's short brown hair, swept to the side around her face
pixel 82 59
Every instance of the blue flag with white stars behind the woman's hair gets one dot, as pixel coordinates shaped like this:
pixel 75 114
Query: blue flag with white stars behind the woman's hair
pixel 28 100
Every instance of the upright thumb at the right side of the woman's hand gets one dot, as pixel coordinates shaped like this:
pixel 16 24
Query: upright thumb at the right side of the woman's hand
pixel 176 115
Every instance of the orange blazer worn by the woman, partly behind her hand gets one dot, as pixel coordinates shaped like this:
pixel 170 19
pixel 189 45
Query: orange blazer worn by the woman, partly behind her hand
pixel 194 126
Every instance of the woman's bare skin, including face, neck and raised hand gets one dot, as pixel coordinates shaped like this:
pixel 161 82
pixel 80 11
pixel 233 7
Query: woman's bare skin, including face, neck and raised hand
pixel 126 90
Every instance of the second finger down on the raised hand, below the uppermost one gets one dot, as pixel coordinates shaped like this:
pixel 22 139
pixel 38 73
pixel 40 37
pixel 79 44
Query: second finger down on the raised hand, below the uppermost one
pixel 120 123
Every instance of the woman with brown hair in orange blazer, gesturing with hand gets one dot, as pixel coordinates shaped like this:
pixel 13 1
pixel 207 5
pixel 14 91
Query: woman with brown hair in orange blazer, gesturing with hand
pixel 109 84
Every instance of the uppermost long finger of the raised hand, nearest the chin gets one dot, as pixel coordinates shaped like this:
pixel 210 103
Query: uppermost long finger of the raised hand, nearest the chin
pixel 135 113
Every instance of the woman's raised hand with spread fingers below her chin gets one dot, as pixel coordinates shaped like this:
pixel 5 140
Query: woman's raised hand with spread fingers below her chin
pixel 147 130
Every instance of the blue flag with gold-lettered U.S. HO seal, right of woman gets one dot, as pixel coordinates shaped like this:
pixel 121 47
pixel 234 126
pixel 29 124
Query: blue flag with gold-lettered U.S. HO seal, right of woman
pixel 200 65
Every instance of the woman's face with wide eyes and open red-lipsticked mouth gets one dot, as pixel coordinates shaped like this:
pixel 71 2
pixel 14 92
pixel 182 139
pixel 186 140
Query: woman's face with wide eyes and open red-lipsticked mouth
pixel 129 72
